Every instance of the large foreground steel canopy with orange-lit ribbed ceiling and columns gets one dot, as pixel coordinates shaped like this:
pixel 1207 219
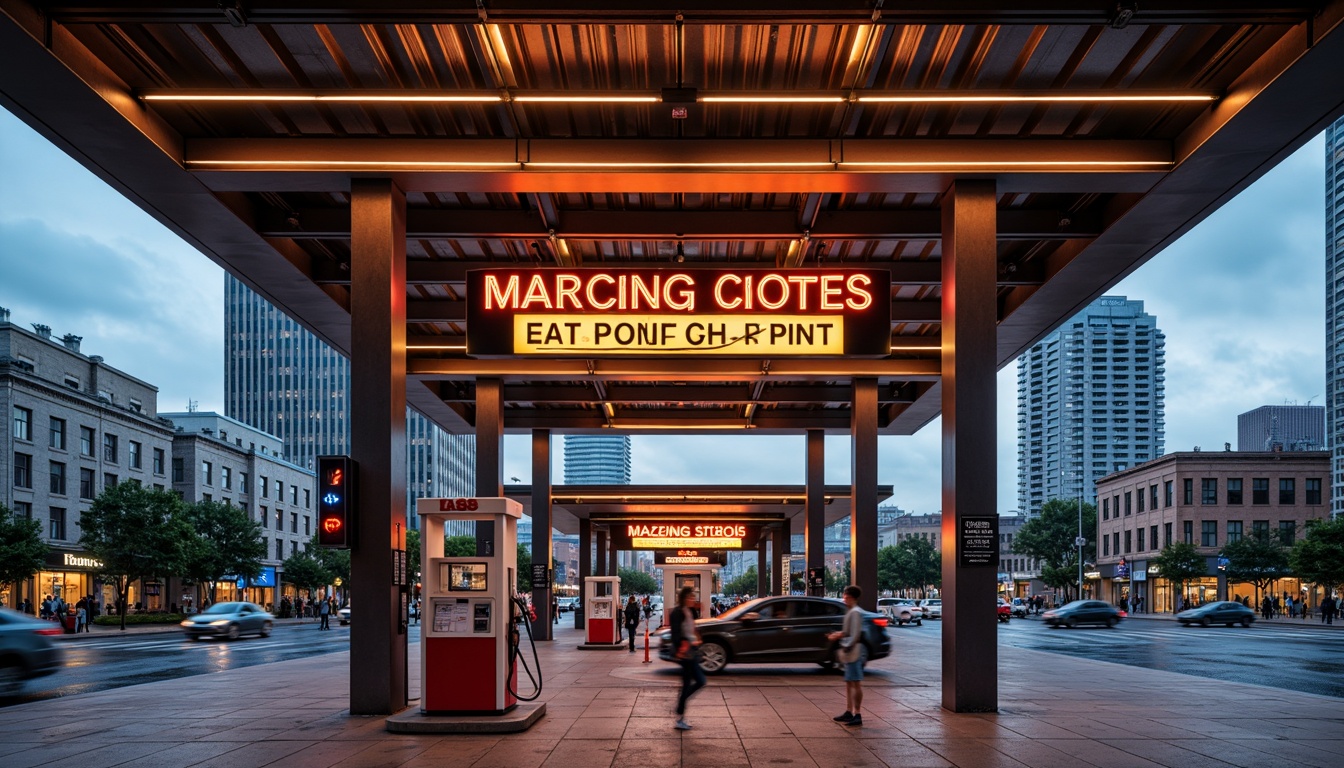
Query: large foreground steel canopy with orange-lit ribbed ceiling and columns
pixel 354 162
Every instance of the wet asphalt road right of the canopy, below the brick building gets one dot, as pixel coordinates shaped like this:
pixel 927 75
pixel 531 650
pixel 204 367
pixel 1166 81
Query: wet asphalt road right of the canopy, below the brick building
pixel 1299 658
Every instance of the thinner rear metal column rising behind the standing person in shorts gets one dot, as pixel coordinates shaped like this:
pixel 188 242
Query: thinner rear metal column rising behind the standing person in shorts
pixel 864 494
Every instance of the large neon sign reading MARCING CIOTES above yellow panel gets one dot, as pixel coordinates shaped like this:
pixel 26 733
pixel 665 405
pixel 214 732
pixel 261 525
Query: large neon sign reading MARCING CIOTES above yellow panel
pixel 749 313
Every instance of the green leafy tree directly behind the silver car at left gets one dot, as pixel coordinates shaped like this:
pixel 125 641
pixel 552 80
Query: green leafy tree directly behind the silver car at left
pixel 225 543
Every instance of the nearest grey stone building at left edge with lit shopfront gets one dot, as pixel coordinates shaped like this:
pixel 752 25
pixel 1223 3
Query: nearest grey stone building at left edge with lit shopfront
pixel 73 427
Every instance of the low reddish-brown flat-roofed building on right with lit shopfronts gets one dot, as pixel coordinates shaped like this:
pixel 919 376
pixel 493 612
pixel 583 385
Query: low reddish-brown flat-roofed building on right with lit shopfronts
pixel 1208 500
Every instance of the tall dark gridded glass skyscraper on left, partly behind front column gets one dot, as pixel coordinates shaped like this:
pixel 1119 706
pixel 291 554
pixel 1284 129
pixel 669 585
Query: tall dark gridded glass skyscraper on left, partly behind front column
pixel 286 381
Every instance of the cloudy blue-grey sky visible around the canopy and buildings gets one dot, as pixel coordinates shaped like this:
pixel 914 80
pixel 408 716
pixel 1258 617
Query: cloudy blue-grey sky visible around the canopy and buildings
pixel 1241 301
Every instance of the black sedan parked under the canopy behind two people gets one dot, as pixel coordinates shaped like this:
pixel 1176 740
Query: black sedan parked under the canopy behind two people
pixel 779 630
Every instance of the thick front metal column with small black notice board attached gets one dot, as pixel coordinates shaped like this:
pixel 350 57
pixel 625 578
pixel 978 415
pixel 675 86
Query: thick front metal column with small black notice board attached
pixel 970 484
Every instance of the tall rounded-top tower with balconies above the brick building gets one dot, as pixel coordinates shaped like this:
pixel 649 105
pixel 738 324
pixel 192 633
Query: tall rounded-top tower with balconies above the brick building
pixel 1089 403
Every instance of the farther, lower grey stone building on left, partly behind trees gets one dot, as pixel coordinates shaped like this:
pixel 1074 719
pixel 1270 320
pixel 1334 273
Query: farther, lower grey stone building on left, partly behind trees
pixel 216 458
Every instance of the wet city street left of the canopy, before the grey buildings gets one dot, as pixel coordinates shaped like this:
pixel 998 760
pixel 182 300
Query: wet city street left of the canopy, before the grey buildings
pixel 101 664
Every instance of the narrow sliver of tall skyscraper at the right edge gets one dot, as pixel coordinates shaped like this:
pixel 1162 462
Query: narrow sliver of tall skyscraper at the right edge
pixel 1335 310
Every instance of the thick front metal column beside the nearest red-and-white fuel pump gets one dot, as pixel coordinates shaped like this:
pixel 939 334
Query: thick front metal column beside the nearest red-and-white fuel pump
pixel 378 442
